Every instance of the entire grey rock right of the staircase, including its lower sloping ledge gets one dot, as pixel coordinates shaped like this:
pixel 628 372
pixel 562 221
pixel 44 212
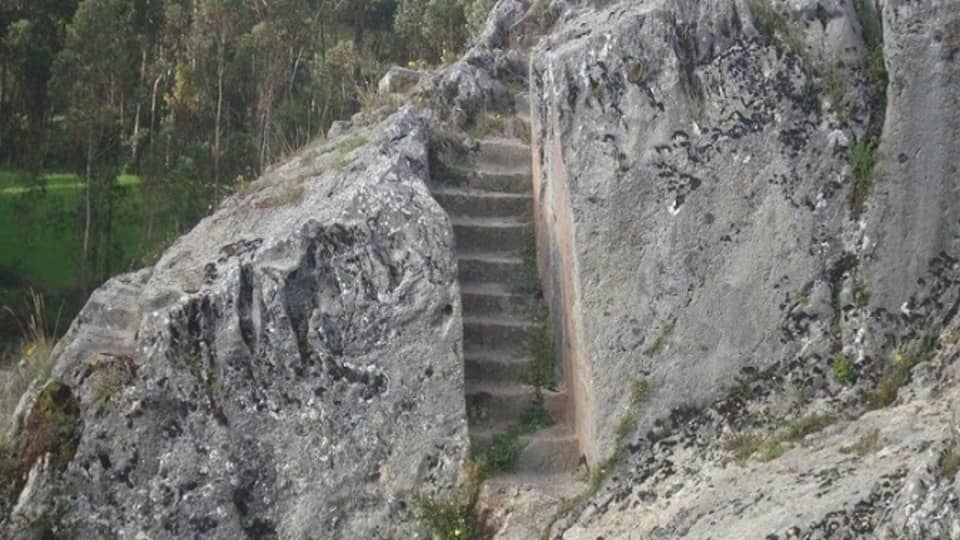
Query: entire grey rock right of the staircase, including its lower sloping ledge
pixel 705 227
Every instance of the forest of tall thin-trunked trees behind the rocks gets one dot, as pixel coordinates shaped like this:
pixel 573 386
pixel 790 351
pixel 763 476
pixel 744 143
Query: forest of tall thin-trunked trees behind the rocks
pixel 191 97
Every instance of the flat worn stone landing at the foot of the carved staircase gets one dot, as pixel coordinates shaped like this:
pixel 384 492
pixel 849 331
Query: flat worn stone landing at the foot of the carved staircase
pixel 547 451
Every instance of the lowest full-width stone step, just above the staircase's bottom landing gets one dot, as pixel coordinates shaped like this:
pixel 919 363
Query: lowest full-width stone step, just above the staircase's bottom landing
pixel 495 405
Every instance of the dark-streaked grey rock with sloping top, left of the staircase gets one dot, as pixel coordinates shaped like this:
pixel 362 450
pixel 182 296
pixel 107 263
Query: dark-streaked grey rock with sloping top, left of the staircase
pixel 292 368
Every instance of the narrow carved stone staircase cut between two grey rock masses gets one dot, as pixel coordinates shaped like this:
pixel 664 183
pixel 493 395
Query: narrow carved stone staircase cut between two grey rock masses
pixel 492 215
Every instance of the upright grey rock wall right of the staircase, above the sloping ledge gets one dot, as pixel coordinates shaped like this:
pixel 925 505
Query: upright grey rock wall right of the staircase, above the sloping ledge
pixel 695 192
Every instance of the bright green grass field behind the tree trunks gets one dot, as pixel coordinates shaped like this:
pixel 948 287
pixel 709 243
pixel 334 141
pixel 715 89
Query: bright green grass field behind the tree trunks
pixel 41 230
